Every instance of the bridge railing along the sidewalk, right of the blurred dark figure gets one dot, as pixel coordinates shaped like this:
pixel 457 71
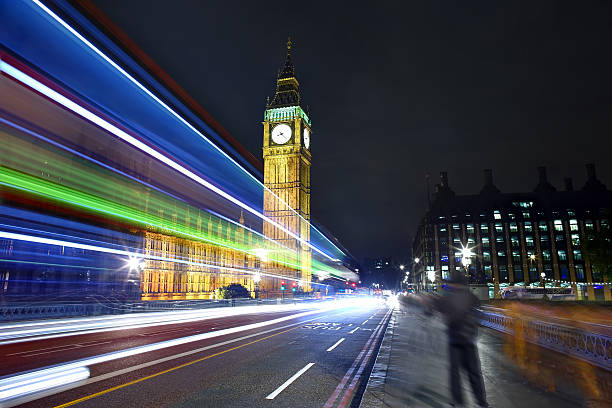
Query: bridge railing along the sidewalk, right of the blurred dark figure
pixel 588 345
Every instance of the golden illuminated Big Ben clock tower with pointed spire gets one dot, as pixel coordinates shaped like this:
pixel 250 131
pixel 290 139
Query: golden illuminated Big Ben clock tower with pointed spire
pixel 286 156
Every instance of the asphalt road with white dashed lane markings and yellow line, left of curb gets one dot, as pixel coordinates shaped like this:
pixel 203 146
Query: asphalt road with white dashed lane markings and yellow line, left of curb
pixel 306 358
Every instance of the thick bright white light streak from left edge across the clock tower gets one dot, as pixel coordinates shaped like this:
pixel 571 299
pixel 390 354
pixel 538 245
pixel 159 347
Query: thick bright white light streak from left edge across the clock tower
pixel 74 107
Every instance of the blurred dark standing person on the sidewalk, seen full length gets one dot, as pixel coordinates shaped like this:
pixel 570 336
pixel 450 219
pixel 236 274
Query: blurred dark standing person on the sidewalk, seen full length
pixel 459 309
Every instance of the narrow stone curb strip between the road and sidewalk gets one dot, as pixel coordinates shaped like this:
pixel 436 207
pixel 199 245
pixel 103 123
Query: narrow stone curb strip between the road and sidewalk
pixel 375 390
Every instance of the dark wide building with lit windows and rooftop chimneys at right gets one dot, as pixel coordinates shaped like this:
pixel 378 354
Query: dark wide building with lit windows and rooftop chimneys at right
pixel 515 237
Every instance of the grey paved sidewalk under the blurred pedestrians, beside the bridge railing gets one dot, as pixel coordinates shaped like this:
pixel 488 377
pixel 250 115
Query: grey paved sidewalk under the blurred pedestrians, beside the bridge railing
pixel 411 370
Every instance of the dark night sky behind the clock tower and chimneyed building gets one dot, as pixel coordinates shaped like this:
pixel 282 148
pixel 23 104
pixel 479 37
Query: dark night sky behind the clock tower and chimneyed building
pixel 397 90
